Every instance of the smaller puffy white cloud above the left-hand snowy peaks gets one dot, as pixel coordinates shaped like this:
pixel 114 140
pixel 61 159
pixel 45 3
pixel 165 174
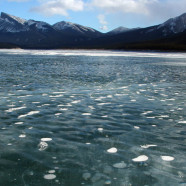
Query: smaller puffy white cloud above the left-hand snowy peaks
pixel 59 7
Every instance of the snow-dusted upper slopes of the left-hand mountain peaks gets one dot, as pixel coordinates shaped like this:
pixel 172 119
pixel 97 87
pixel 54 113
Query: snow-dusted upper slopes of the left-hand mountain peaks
pixel 13 24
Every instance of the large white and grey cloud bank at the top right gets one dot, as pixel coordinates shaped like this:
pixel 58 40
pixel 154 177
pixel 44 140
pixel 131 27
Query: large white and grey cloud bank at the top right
pixel 152 8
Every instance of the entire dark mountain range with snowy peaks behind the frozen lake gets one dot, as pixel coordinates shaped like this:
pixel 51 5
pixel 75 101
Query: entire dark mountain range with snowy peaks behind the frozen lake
pixel 16 32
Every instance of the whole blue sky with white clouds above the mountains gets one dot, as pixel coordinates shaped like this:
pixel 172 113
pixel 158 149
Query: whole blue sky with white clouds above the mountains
pixel 102 15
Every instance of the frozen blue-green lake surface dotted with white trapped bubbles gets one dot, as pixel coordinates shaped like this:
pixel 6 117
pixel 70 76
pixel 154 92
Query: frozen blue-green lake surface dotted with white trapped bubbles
pixel 92 118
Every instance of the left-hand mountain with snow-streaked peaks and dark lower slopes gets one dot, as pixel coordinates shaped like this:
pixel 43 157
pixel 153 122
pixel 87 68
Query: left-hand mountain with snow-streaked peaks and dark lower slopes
pixel 38 34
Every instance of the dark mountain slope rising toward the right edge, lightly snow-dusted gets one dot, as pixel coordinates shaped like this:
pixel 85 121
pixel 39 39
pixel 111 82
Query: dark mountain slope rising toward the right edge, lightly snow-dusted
pixel 162 31
